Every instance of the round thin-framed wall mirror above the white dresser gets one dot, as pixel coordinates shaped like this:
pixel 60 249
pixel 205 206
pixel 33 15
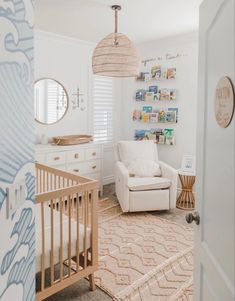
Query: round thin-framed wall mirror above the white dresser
pixel 50 101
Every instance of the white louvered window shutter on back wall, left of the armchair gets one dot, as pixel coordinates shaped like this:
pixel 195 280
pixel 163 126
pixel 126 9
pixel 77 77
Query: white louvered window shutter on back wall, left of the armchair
pixel 103 108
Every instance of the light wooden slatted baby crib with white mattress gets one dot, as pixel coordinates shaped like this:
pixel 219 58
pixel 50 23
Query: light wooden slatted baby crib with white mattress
pixel 66 230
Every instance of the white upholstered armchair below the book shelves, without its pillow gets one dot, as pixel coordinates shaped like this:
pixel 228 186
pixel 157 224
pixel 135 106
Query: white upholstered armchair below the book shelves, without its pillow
pixel 143 193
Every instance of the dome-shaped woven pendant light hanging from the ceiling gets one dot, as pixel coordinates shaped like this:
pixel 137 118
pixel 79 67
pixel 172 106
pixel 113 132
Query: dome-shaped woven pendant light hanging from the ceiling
pixel 116 55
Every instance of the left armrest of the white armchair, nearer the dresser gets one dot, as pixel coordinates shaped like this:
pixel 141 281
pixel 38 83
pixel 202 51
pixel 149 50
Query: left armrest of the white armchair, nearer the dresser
pixel 121 185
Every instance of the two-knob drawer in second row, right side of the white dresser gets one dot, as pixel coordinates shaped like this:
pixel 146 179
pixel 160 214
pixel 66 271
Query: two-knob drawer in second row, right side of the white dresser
pixel 85 167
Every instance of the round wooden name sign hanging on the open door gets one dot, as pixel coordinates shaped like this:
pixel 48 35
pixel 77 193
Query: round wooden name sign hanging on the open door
pixel 224 102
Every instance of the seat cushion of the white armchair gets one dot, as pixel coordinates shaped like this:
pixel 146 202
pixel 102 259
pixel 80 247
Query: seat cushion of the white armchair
pixel 150 183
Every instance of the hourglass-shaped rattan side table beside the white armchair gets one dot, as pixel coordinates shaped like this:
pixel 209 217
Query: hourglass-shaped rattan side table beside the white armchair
pixel 186 198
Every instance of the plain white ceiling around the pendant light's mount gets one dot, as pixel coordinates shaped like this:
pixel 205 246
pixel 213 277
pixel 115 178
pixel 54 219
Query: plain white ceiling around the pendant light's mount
pixel 141 20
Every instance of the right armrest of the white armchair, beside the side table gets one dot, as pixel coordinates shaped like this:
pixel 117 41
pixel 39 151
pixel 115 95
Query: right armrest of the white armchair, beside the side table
pixel 170 173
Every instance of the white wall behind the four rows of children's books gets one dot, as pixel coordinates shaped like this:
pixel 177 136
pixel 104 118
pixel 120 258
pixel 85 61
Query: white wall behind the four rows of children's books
pixel 186 85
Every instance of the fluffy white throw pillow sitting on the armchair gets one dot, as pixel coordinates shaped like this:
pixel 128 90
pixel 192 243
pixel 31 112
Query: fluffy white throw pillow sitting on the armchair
pixel 144 168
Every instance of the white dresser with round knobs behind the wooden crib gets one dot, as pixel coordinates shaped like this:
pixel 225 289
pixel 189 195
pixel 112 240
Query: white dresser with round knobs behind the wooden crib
pixel 83 159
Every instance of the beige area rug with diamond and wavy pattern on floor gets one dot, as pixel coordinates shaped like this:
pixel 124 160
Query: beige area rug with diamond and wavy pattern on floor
pixel 143 257
